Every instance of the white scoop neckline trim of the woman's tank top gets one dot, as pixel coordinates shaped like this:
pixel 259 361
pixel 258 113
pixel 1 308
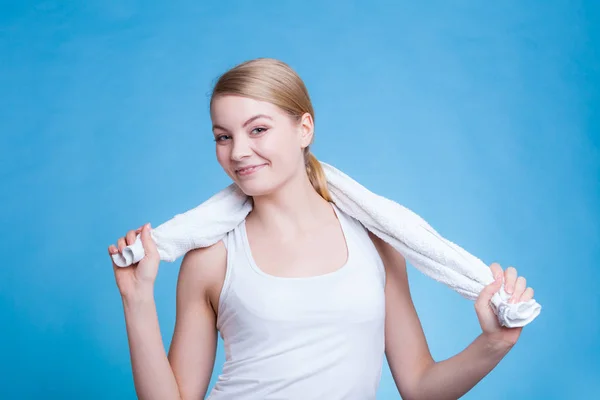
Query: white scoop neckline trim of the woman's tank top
pixel 341 270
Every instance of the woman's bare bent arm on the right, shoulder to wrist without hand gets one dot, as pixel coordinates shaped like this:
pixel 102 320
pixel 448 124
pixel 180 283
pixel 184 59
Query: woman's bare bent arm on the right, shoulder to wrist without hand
pixel 416 374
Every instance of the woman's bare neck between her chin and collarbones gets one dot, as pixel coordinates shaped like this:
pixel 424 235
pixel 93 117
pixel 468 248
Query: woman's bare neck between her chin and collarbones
pixel 292 209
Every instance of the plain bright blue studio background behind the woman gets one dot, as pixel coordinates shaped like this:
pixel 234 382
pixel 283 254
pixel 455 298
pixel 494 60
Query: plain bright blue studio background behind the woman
pixel 481 117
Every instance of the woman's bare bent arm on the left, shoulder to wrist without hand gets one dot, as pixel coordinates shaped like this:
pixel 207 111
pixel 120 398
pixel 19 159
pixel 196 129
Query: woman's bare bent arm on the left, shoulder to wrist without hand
pixel 185 372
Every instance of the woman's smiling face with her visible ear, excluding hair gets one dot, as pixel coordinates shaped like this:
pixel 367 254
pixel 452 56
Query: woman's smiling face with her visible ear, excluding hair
pixel 258 145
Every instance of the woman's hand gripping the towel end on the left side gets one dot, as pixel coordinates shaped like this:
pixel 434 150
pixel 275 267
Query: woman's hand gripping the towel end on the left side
pixel 137 278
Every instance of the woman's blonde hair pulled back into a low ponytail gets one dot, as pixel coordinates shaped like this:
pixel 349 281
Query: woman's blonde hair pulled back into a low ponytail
pixel 273 81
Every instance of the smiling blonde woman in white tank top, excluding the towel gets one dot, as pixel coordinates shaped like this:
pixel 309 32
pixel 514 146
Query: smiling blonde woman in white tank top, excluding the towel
pixel 306 299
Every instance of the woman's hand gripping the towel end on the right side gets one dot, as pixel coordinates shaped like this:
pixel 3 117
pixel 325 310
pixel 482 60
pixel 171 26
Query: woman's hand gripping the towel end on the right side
pixel 514 285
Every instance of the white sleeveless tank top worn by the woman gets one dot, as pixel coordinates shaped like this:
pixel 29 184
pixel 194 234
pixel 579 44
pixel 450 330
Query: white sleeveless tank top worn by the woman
pixel 318 337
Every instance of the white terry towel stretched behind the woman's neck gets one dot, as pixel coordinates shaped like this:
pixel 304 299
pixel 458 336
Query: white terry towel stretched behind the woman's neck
pixel 407 232
